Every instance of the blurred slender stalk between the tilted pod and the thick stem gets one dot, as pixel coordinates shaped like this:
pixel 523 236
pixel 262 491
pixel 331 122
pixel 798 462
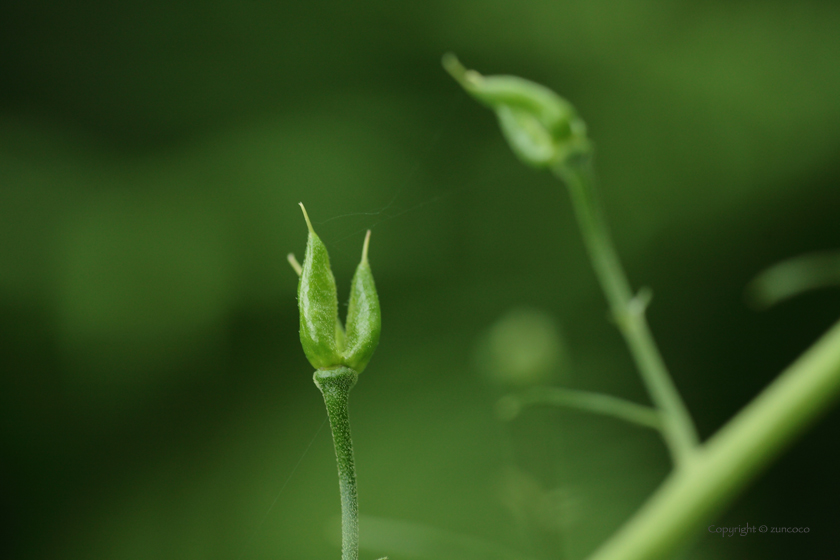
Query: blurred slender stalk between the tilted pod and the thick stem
pixel 627 310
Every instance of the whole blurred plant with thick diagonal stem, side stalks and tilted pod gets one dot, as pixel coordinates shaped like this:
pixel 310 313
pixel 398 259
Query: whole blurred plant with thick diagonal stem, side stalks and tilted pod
pixel 545 132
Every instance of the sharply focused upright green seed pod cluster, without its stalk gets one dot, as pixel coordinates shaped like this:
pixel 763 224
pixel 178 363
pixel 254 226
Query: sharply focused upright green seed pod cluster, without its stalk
pixel 325 342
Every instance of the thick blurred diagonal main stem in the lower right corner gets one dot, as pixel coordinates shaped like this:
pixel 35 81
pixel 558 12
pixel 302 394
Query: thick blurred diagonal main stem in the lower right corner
pixel 691 496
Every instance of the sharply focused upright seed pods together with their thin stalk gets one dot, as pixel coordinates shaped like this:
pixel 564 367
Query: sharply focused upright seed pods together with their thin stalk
pixel 338 356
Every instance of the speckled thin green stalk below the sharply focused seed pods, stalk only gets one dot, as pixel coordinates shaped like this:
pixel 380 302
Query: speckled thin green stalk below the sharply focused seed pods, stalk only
pixel 335 385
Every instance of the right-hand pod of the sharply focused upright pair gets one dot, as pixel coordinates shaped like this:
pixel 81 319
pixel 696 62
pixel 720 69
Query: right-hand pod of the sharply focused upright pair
pixel 363 316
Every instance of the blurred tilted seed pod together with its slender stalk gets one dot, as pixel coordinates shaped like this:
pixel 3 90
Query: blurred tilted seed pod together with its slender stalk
pixel 545 131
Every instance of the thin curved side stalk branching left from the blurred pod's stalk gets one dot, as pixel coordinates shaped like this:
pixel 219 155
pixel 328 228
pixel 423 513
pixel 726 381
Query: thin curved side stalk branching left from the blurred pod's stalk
pixel 596 403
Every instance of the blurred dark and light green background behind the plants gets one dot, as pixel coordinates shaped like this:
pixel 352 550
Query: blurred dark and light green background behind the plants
pixel 154 397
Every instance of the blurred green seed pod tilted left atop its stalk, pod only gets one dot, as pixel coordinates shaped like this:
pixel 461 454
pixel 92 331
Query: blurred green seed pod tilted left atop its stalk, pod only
pixel 541 127
